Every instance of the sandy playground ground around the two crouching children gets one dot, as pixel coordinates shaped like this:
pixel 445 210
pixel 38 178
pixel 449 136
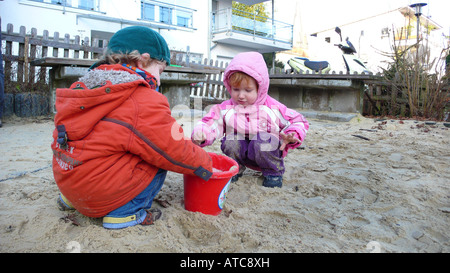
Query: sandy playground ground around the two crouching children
pixel 389 192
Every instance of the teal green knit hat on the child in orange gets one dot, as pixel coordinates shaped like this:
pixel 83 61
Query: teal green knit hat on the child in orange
pixel 142 39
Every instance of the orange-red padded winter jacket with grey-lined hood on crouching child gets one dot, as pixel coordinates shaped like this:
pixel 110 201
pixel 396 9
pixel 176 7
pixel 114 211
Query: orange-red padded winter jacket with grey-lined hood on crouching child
pixel 110 139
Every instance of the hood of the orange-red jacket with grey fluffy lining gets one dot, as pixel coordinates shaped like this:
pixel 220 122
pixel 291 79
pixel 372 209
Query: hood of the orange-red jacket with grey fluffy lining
pixel 93 97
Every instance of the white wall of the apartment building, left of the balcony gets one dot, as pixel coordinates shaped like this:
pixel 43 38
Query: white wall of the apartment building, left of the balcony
pixel 54 19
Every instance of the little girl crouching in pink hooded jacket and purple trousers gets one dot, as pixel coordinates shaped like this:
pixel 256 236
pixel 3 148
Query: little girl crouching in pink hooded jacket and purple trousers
pixel 258 129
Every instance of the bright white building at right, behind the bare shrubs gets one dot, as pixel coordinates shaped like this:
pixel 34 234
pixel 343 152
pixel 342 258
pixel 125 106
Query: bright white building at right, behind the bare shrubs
pixel 374 39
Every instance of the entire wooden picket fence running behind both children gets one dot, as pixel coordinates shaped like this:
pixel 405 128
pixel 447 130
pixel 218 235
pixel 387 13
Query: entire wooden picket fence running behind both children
pixel 21 48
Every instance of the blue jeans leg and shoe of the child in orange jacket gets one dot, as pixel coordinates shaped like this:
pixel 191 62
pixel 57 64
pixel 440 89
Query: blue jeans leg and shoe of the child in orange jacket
pixel 133 212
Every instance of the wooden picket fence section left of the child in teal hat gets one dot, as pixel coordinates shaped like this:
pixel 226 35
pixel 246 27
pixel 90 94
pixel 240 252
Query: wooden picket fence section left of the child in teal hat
pixel 27 86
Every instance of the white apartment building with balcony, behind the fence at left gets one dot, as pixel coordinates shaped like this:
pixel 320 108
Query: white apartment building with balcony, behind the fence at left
pixel 197 29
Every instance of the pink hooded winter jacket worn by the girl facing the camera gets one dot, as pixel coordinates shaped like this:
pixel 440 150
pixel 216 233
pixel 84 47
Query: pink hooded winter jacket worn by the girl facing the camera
pixel 265 115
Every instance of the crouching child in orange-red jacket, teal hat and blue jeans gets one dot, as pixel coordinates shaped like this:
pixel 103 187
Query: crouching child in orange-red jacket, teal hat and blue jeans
pixel 112 142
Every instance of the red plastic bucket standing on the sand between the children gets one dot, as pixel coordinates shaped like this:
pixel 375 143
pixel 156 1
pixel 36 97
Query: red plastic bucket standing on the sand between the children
pixel 209 196
